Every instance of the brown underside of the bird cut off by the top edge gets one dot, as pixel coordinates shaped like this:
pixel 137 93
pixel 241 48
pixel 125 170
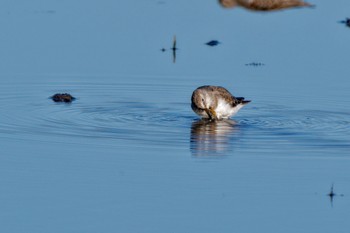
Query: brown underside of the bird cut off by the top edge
pixel 264 5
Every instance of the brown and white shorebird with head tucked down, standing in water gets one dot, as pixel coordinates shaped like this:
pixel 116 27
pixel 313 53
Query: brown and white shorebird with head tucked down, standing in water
pixel 215 103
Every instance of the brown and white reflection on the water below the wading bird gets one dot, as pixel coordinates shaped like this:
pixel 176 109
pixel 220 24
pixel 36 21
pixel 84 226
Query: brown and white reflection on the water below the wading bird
pixel 211 138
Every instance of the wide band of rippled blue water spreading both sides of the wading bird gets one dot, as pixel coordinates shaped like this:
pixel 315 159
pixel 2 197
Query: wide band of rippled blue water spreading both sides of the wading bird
pixel 159 115
